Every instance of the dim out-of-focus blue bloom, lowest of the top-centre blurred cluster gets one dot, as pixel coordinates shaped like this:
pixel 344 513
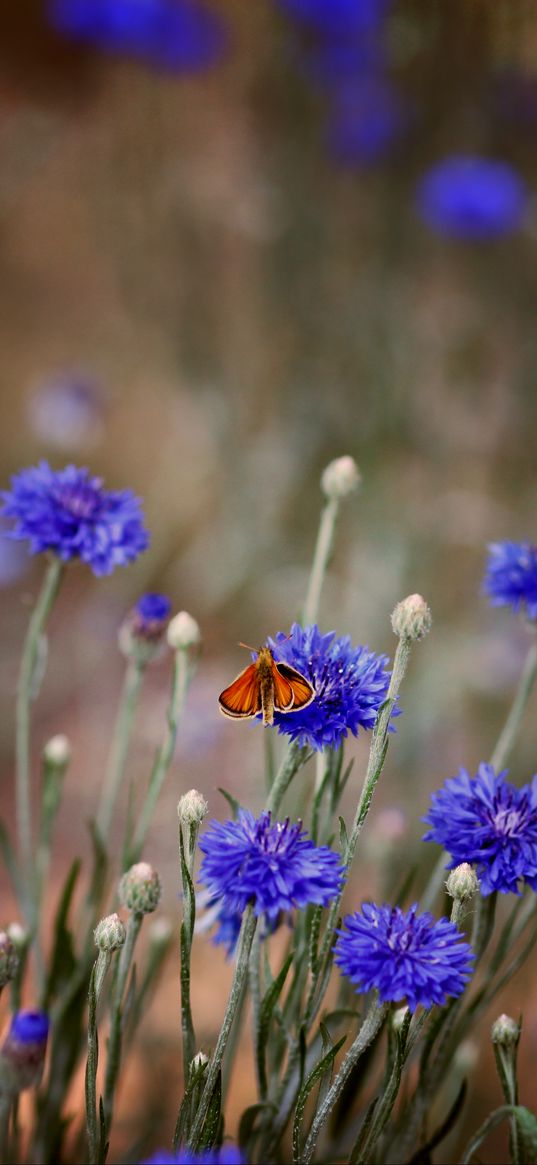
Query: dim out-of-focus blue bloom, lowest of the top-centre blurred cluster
pixel 366 118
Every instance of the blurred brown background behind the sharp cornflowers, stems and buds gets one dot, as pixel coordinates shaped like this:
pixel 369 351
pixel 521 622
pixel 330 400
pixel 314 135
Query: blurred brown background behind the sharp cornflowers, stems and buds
pixel 239 241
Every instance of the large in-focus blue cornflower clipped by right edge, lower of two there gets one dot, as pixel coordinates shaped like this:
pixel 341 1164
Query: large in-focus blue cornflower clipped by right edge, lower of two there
pixel 487 822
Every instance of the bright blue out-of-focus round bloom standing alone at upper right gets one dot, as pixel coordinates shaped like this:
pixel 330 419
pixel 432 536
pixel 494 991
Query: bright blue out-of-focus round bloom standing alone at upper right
pixel 471 197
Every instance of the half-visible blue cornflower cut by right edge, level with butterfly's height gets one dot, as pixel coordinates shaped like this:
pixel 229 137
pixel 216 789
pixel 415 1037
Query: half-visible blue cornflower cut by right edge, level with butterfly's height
pixel 512 576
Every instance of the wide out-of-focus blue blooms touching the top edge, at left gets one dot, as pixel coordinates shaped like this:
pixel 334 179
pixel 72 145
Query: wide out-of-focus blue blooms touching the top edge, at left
pixel 181 36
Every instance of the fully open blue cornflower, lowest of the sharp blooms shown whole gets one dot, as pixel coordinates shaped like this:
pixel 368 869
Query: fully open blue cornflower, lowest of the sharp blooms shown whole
pixel 404 956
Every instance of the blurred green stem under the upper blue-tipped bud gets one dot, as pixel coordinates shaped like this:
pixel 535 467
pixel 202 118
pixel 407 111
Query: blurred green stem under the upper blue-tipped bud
pixel 116 767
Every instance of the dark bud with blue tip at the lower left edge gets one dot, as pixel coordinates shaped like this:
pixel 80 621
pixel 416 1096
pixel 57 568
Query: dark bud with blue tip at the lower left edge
pixel 23 1053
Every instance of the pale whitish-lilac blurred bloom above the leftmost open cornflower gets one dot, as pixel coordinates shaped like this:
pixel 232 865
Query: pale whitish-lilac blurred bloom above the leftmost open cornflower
pixel 67 412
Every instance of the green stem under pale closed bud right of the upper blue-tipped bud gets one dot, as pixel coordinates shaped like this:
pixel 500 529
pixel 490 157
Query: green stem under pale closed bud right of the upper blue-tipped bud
pixel 180 686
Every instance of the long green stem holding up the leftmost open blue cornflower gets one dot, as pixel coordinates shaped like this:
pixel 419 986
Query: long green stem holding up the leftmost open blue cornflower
pixel 38 624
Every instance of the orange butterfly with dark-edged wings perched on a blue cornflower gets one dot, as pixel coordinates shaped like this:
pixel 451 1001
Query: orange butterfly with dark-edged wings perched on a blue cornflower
pixel 266 687
